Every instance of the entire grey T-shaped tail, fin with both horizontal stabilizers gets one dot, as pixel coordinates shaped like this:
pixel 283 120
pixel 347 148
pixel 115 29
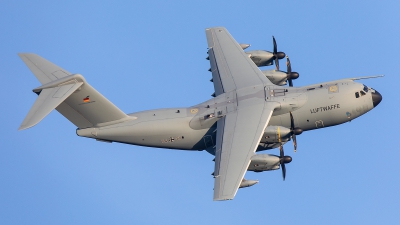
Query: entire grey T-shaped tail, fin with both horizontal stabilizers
pixel 69 94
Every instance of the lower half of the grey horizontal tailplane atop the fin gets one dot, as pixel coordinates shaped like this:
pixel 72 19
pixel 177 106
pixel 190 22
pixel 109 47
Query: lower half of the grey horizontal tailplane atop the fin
pixel 48 99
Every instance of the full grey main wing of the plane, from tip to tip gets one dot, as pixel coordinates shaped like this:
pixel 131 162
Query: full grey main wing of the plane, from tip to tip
pixel 240 131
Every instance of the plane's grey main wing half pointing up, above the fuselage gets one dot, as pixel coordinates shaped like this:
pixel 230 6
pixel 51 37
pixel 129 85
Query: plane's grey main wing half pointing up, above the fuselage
pixel 230 66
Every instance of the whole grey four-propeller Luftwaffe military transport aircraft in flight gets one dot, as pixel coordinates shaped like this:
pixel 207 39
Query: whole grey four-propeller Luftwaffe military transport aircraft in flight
pixel 251 111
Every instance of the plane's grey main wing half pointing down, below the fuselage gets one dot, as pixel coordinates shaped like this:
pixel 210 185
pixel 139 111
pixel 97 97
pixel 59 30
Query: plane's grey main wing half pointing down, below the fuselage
pixel 238 136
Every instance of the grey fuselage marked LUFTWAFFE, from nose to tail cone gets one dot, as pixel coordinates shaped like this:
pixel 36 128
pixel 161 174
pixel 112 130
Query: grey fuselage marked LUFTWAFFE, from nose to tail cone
pixel 194 128
